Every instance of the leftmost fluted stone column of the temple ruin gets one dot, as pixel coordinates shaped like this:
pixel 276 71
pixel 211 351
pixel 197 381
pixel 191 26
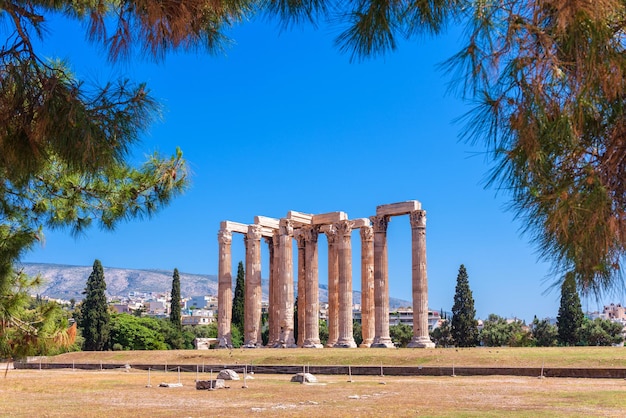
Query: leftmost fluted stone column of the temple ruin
pixel 224 289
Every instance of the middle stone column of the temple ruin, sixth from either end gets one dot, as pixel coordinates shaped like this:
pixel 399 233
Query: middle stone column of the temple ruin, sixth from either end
pixel 312 334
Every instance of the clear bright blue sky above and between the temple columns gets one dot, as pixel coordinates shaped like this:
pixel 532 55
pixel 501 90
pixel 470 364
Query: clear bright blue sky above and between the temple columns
pixel 283 121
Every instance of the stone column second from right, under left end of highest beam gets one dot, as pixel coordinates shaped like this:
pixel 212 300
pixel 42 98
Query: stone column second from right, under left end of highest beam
pixel 381 284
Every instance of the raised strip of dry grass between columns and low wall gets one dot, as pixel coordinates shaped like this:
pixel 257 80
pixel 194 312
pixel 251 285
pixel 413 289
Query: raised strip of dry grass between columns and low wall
pixel 486 357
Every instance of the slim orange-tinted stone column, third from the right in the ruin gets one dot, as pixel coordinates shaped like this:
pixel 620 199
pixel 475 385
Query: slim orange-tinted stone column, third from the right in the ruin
pixel 367 285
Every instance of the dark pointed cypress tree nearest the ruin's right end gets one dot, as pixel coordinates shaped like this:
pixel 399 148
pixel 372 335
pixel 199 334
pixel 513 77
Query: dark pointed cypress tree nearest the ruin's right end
pixel 464 326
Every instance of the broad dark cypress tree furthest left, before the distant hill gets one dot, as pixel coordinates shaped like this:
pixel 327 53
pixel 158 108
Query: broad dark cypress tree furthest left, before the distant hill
pixel 94 318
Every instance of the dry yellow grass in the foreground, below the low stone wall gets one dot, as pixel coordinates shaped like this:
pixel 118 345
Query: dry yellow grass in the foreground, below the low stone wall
pixel 119 393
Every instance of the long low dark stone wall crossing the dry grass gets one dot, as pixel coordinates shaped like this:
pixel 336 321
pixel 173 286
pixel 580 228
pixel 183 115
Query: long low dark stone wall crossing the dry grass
pixel 599 373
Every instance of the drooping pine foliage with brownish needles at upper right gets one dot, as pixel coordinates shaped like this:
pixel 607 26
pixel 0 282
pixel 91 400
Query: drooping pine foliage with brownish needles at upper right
pixel 549 94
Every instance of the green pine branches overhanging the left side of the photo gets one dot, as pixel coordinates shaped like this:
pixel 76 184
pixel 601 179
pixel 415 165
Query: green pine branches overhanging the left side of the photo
pixel 65 146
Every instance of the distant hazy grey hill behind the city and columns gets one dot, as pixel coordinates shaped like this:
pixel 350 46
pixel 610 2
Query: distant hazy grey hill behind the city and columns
pixel 67 282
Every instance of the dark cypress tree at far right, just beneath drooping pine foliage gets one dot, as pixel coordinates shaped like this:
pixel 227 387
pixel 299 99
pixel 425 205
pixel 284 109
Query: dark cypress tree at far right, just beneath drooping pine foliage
pixel 570 317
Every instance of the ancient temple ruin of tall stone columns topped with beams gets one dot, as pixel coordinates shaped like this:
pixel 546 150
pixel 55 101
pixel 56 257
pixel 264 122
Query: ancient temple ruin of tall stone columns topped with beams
pixel 279 234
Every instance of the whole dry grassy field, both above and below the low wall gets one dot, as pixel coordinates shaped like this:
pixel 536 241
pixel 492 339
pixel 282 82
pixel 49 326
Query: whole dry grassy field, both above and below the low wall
pixel 125 393
